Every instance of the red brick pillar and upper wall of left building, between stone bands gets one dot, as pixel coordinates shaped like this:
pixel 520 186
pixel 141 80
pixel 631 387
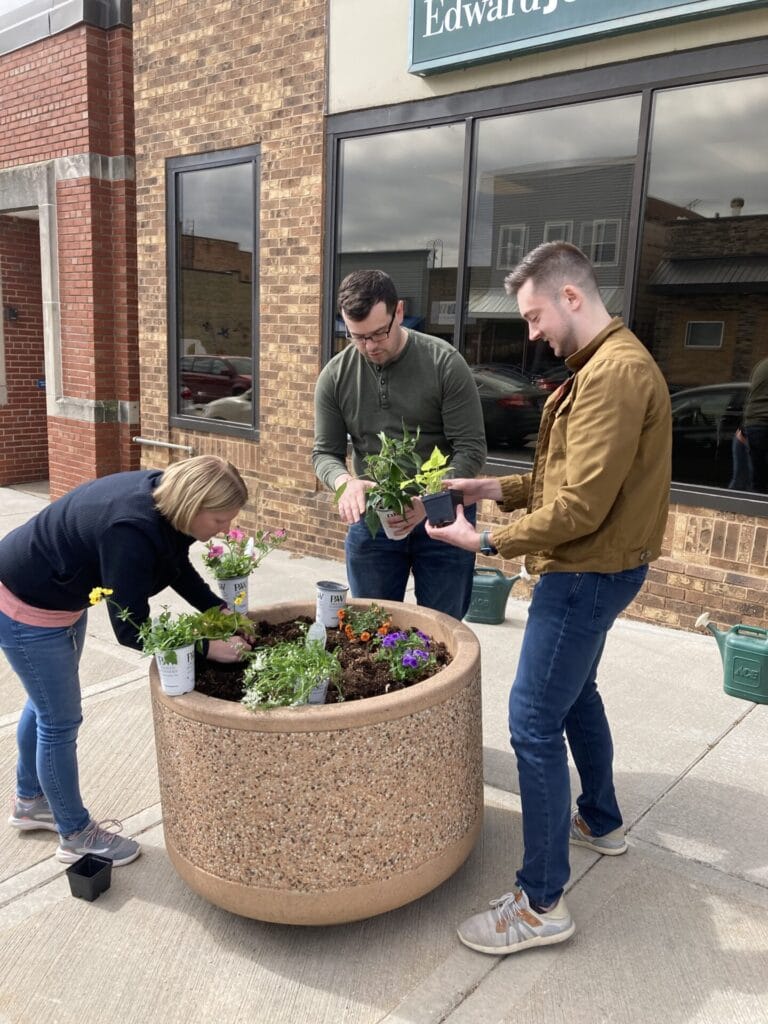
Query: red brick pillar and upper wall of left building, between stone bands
pixel 72 95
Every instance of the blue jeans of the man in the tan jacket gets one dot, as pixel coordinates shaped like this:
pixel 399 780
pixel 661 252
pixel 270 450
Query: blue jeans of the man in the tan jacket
pixel 556 692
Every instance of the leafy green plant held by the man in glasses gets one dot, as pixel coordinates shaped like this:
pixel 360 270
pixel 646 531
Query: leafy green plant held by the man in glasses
pixel 390 470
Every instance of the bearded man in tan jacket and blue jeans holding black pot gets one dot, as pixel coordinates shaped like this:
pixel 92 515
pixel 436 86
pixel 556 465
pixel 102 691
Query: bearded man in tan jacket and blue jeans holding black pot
pixel 596 504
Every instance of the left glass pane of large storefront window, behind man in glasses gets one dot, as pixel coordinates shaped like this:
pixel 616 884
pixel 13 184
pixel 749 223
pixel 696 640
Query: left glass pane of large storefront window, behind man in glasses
pixel 401 201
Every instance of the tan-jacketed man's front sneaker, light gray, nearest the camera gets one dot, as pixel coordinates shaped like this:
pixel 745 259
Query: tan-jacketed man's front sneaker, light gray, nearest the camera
pixel 511 925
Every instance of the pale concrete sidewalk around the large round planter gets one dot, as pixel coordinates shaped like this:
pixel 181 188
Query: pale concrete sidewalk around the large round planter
pixel 676 932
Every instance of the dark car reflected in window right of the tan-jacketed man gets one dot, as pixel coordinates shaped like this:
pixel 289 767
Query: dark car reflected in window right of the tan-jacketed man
pixel 704 421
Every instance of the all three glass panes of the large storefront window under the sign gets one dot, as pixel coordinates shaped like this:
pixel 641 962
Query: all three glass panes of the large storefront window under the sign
pixel 686 262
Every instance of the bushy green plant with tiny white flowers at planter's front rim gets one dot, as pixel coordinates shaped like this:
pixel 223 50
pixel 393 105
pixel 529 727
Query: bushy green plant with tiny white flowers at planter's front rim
pixel 285 675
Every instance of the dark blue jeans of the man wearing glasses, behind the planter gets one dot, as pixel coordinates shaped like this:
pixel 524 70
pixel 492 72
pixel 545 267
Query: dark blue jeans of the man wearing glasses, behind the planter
pixel 378 568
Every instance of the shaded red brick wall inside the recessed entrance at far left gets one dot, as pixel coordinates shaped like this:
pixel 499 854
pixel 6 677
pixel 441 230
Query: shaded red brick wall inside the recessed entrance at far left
pixel 24 454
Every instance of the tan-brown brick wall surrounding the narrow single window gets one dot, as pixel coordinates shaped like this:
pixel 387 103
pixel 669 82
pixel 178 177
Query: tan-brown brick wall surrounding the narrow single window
pixel 251 73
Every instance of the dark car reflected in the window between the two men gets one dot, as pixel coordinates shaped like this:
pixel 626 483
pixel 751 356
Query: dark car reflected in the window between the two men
pixel 511 407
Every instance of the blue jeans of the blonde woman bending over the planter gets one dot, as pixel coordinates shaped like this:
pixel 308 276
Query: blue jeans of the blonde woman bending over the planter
pixel 48 660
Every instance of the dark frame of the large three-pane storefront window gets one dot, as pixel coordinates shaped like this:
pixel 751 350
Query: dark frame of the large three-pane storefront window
pixel 643 77
